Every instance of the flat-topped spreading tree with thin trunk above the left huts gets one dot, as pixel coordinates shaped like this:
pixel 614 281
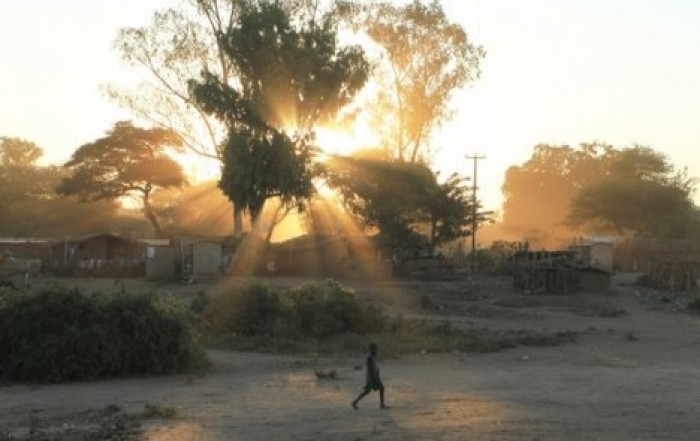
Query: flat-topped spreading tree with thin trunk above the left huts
pixel 128 161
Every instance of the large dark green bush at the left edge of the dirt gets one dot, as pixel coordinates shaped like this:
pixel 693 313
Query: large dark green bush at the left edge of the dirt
pixel 63 334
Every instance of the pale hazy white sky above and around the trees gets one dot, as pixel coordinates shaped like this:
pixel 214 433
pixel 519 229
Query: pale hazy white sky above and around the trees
pixel 560 72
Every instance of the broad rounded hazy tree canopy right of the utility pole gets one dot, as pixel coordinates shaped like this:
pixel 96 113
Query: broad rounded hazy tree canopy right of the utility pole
pixel 563 191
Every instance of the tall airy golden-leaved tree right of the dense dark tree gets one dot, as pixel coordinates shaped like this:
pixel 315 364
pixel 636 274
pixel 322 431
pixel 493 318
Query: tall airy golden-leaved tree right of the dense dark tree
pixel 423 59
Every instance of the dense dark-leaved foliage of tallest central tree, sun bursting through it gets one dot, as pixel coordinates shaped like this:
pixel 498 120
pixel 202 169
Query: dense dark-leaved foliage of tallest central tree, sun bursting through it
pixel 292 74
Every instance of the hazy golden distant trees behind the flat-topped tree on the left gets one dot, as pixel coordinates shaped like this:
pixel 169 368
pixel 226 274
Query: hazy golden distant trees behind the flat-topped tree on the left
pixel 34 202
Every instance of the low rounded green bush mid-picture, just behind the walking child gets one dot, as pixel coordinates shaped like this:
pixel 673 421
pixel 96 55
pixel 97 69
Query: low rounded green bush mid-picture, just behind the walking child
pixel 316 310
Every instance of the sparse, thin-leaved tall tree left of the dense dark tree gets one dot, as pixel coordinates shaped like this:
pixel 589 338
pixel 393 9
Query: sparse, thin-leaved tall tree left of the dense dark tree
pixel 178 43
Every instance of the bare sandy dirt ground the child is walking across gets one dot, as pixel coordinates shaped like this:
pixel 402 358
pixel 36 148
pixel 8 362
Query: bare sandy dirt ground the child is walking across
pixel 632 375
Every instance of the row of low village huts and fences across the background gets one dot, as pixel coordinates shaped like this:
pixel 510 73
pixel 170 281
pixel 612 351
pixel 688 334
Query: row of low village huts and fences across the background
pixel 586 264
